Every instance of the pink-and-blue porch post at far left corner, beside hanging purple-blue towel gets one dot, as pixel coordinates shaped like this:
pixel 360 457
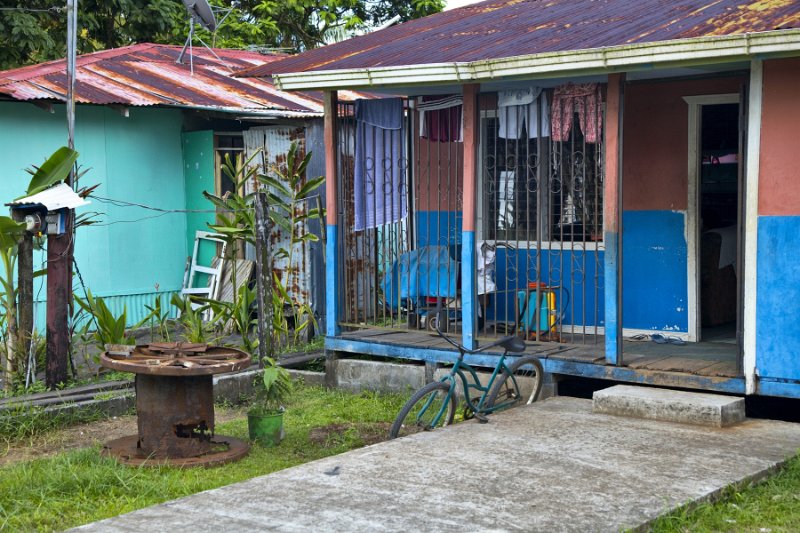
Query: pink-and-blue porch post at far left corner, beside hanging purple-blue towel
pixel 331 215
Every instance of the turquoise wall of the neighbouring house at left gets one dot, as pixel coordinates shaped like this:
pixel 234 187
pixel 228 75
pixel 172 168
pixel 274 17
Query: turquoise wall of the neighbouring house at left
pixel 137 159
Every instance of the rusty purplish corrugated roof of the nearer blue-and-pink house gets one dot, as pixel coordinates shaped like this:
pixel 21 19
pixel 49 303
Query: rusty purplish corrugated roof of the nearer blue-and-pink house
pixel 507 28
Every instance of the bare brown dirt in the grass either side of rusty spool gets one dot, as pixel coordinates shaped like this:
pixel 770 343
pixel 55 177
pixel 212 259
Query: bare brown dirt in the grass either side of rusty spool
pixel 84 436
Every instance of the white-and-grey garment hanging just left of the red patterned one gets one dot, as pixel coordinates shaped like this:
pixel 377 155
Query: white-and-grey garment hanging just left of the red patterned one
pixel 523 108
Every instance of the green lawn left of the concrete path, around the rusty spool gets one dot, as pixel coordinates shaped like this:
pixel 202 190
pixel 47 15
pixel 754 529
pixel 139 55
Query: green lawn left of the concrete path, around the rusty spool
pixel 78 487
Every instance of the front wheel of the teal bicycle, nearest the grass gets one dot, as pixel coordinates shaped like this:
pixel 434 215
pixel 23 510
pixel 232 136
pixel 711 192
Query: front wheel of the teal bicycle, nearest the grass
pixel 429 408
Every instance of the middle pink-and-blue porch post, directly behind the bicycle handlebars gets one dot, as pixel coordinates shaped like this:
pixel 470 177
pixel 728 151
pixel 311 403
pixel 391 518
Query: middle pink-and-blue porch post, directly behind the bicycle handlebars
pixel 469 282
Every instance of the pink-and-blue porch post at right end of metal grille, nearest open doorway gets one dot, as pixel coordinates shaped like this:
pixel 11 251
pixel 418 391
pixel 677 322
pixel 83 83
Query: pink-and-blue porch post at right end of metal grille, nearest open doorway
pixel 612 218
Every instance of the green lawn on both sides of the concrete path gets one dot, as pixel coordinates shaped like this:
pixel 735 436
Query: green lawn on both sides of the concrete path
pixel 78 487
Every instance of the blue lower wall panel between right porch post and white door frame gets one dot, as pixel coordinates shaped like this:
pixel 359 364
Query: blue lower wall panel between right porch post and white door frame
pixel 654 283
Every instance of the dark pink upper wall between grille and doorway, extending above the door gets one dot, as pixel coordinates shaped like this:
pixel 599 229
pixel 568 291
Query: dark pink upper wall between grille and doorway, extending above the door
pixel 655 139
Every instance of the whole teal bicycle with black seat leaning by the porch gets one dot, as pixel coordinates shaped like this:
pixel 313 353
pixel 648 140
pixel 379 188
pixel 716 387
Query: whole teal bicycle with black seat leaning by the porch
pixel 510 384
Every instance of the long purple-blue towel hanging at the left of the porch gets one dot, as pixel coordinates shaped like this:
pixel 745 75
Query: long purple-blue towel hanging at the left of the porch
pixel 380 165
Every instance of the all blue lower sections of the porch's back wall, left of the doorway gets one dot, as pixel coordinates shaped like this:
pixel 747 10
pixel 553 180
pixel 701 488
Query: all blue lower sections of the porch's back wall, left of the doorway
pixel 654 288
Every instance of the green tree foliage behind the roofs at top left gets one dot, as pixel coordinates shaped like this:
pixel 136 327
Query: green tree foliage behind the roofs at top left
pixel 32 31
